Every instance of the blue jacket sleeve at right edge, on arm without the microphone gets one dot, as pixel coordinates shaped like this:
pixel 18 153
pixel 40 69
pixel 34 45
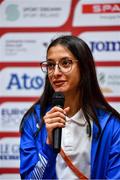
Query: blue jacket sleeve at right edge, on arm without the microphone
pixel 114 156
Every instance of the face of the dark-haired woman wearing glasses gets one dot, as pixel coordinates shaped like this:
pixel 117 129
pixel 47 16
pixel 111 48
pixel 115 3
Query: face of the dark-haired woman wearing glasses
pixel 66 82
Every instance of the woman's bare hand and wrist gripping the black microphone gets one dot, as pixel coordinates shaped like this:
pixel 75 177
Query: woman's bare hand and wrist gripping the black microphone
pixel 55 118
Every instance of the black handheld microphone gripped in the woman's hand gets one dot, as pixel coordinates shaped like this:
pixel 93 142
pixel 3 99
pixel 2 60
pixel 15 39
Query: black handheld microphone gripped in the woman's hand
pixel 57 100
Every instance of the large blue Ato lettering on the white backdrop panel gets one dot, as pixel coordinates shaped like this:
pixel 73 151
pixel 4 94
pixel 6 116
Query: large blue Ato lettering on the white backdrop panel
pixel 25 82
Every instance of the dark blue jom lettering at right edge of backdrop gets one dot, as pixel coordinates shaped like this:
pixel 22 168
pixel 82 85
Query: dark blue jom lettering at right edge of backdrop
pixel 113 46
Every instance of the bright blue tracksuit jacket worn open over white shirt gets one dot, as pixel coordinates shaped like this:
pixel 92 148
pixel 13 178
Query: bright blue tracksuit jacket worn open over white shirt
pixel 37 159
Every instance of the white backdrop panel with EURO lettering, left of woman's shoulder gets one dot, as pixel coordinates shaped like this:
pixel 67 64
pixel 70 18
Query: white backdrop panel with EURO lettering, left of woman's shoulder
pixel 11 114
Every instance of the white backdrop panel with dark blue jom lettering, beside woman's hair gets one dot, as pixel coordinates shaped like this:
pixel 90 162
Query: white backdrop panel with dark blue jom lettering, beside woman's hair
pixel 104 45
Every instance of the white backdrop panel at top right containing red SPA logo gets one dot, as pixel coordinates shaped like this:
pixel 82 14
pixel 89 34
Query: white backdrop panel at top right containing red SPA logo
pixel 97 13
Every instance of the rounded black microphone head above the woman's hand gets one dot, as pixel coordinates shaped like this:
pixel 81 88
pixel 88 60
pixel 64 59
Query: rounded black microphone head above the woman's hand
pixel 58 99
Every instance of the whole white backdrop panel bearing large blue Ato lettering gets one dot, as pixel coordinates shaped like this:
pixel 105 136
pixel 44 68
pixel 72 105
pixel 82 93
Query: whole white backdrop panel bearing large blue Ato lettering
pixel 19 81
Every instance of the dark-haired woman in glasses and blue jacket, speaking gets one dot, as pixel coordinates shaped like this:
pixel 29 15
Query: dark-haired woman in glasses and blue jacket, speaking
pixel 90 126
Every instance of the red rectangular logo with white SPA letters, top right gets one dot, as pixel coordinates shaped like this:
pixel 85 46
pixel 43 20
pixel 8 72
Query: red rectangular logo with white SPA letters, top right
pixel 100 8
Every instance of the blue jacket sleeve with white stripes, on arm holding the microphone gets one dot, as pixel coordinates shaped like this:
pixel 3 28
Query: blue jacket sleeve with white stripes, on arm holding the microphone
pixel 37 160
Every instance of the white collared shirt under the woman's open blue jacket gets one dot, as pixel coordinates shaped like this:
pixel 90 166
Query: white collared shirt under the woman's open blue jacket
pixel 77 145
